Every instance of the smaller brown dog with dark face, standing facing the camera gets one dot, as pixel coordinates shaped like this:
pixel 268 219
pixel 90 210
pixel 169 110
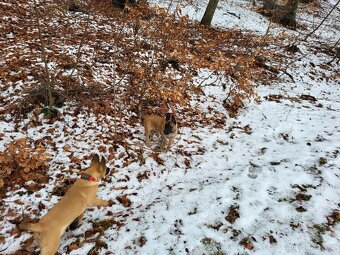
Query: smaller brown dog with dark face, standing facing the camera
pixel 166 129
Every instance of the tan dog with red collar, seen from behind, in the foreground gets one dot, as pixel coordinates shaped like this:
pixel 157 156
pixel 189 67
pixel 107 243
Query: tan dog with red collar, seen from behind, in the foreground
pixel 70 208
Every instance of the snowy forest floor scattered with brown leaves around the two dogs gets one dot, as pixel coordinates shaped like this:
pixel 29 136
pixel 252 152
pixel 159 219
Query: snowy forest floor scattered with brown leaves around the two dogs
pixel 266 181
